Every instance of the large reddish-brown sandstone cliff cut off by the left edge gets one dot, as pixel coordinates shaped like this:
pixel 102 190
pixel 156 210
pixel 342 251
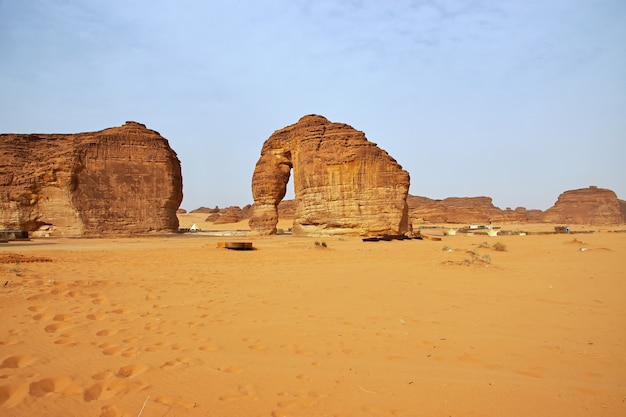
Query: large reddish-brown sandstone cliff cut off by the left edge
pixel 122 180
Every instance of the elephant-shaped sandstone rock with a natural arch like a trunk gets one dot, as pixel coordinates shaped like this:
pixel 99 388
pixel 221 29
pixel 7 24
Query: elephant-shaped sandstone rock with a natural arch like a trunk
pixel 343 183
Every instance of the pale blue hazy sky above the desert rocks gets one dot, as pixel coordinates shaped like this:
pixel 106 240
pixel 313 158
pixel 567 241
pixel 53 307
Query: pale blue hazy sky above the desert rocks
pixel 518 100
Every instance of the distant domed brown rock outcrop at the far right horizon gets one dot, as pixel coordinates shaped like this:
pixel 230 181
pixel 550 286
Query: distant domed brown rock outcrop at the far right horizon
pixel 591 205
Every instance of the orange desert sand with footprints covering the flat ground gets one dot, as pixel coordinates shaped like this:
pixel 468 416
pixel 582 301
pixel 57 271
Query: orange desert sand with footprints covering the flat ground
pixel 175 326
